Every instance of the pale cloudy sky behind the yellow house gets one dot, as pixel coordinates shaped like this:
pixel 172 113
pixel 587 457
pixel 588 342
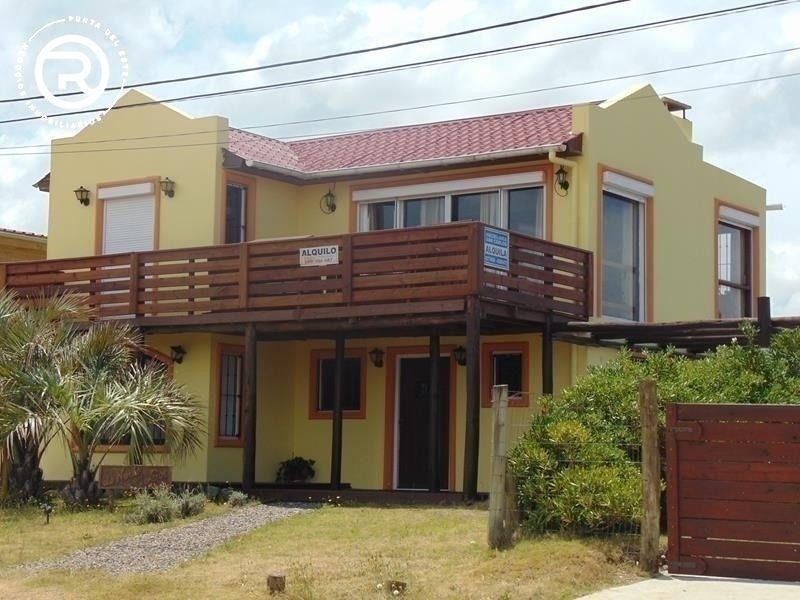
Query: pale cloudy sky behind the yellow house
pixel 746 116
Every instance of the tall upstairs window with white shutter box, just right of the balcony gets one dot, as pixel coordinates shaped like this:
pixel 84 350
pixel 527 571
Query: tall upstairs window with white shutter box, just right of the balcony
pixel 623 277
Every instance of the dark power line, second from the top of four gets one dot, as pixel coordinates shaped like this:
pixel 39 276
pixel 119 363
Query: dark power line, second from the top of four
pixel 418 64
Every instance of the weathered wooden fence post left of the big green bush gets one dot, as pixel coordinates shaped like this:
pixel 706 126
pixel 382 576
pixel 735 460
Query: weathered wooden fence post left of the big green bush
pixel 500 525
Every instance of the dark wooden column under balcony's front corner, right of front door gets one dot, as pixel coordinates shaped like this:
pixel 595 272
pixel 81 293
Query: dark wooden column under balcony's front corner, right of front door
pixel 472 432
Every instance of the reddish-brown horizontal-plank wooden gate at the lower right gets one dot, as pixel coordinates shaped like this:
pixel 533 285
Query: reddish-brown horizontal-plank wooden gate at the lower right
pixel 733 490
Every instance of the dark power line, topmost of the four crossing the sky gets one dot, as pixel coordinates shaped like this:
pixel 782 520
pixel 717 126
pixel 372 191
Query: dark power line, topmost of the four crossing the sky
pixel 303 61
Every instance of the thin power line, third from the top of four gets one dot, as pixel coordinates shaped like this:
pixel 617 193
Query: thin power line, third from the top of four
pixel 434 104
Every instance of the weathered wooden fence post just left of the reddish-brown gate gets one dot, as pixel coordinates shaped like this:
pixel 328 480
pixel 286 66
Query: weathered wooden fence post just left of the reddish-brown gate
pixel 651 477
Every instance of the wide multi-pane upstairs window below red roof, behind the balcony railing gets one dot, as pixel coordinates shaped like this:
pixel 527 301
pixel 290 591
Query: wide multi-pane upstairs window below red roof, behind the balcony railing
pixel 509 201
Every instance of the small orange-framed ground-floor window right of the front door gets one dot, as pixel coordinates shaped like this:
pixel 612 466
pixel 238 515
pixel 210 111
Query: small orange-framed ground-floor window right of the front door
pixel 505 363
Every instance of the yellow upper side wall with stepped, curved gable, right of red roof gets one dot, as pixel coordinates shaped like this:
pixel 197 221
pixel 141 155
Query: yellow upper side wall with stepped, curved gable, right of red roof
pixel 634 134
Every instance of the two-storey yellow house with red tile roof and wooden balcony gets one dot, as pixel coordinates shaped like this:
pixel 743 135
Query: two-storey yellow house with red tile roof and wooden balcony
pixel 269 257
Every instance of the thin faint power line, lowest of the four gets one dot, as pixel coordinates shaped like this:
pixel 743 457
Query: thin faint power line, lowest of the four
pixel 200 144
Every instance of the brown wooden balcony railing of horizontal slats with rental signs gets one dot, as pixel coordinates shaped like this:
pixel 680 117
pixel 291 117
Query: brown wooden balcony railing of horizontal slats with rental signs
pixel 382 273
